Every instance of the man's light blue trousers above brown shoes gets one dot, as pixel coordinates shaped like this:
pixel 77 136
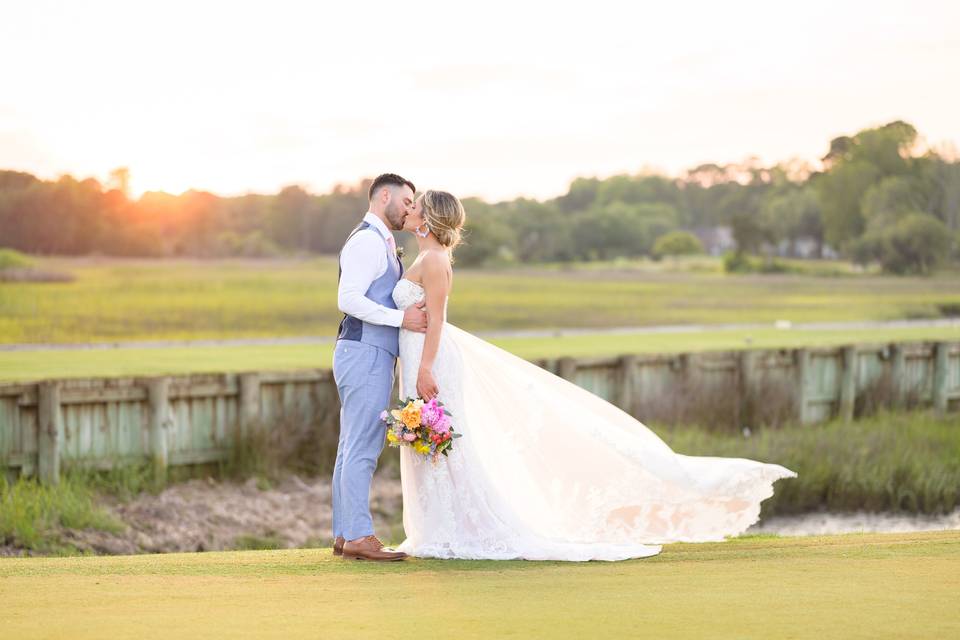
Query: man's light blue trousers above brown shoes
pixel 364 377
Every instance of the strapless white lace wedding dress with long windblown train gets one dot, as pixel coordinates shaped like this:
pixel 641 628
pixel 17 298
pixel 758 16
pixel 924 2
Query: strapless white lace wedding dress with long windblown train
pixel 545 470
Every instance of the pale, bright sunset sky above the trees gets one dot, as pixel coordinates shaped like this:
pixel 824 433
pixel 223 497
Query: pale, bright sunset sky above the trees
pixel 494 99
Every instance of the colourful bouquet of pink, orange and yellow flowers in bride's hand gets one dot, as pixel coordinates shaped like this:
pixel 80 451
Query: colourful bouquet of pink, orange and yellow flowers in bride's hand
pixel 424 426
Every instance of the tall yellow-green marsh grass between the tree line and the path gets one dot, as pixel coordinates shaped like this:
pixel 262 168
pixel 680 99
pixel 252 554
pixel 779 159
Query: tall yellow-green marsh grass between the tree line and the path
pixel 116 300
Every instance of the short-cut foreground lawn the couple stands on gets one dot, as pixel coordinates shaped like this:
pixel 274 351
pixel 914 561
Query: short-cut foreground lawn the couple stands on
pixel 848 586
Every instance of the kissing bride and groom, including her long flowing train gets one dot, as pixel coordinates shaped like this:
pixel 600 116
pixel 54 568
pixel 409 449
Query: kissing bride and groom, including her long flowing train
pixel 544 469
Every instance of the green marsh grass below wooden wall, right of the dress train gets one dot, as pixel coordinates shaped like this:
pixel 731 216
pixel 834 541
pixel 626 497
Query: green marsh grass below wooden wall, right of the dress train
pixel 907 461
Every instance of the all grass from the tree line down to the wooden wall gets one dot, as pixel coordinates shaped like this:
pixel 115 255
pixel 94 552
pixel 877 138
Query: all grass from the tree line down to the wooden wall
pixel 117 301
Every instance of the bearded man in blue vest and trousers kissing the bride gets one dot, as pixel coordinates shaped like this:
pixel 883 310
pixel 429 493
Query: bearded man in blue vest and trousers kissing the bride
pixel 364 360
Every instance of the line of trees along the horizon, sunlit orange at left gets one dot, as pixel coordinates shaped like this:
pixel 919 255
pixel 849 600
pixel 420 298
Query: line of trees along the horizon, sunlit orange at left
pixel 878 197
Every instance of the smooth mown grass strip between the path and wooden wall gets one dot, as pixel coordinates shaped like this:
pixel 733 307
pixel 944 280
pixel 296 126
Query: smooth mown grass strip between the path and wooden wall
pixel 30 365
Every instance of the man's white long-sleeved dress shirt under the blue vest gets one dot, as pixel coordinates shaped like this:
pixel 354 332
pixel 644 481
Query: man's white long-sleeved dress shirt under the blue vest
pixel 365 258
